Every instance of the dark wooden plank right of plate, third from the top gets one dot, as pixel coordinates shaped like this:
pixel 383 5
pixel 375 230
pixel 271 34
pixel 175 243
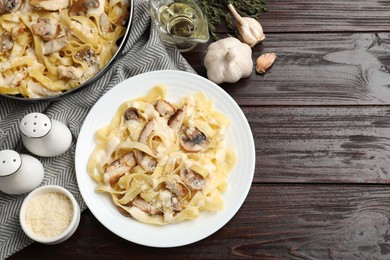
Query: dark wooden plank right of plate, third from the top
pixel 321 144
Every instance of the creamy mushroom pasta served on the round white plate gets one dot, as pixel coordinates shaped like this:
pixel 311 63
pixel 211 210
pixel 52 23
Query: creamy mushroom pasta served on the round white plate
pixel 164 162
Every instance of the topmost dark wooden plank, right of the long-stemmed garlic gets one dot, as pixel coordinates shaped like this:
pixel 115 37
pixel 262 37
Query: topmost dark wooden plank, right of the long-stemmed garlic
pixel 285 16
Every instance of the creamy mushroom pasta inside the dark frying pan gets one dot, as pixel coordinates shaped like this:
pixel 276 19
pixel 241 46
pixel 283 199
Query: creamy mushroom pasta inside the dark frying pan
pixel 51 46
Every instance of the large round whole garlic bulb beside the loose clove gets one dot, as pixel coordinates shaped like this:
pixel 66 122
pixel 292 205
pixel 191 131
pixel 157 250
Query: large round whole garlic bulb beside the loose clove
pixel 228 60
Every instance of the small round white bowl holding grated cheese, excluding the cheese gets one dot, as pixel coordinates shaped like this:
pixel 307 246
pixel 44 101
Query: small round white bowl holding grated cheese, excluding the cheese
pixel 64 235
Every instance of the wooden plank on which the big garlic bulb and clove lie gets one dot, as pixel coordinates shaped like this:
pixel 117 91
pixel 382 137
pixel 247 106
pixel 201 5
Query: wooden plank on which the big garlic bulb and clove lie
pixel 315 69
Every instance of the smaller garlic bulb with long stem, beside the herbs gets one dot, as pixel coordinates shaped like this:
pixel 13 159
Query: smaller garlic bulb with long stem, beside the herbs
pixel 250 30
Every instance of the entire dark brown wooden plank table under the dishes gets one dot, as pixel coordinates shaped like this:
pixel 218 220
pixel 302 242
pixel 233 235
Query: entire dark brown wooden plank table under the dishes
pixel 321 123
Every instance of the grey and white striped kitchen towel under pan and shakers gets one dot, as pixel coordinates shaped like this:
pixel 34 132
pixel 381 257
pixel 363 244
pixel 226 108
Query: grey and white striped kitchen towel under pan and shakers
pixel 143 52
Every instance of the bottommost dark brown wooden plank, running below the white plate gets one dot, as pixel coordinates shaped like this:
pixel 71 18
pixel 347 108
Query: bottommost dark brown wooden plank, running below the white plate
pixel 275 222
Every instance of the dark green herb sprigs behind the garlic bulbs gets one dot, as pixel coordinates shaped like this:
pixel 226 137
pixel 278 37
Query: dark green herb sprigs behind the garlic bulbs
pixel 215 9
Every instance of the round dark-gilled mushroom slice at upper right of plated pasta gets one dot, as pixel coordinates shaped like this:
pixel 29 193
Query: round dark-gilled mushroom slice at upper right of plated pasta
pixel 193 140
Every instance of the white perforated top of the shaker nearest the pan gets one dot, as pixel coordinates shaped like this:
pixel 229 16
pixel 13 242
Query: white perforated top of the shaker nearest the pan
pixel 35 125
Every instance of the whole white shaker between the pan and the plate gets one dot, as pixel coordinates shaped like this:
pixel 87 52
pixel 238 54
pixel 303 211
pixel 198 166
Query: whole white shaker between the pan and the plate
pixel 44 136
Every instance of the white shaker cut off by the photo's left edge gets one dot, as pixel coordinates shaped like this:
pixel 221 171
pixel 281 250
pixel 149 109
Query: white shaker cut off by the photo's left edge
pixel 19 173
